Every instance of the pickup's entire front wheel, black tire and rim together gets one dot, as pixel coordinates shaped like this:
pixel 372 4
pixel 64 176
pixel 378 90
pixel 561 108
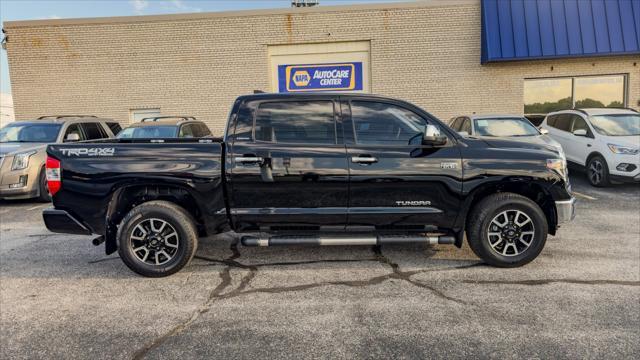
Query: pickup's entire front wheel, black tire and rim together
pixel 488 210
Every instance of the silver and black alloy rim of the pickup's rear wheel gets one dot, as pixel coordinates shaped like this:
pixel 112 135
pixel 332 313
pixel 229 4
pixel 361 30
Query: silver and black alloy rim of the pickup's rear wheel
pixel 154 241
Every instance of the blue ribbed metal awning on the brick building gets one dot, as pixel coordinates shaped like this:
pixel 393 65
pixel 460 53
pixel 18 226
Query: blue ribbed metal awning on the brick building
pixel 542 29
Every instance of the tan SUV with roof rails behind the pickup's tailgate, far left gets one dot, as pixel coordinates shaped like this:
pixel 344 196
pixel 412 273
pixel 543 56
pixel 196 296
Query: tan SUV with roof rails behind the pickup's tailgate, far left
pixel 23 150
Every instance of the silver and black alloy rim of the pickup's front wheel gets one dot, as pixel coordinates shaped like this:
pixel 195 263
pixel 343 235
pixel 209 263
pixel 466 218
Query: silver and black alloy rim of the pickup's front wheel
pixel 511 233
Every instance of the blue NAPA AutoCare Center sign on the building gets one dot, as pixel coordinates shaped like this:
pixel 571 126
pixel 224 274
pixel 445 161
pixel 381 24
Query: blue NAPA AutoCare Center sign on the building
pixel 320 77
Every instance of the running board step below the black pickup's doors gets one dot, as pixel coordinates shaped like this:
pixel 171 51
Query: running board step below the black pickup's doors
pixel 280 240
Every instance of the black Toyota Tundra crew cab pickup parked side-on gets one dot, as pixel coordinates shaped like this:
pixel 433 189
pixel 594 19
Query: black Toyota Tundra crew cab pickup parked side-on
pixel 320 169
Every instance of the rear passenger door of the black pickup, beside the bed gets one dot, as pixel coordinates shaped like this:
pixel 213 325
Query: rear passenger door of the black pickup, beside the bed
pixel 288 165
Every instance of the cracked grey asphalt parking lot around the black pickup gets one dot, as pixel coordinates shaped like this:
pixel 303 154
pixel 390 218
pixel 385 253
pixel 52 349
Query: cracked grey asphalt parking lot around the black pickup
pixel 61 297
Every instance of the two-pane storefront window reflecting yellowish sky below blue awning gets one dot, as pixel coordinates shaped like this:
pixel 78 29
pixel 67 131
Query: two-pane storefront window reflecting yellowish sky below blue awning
pixel 542 96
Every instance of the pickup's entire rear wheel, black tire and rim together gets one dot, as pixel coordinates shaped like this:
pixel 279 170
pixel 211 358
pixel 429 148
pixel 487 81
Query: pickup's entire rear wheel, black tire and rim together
pixel 177 218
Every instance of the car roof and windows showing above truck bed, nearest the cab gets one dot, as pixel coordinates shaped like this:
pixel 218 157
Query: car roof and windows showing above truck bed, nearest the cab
pixel 166 127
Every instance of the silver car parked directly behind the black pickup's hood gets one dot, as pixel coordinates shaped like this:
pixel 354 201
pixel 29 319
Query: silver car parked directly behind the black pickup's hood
pixel 510 126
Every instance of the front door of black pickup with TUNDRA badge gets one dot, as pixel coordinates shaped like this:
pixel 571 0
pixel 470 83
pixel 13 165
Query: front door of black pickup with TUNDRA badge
pixel 394 184
